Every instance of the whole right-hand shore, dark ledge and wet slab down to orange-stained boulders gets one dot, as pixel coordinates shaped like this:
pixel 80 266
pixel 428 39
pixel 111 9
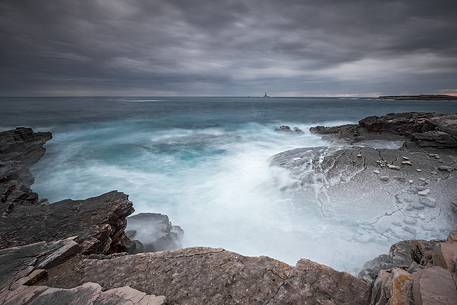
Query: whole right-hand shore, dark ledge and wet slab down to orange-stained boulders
pixel 419 178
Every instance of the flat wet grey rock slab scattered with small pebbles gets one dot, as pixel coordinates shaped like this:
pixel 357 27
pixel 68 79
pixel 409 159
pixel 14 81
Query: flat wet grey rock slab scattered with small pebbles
pixel 390 200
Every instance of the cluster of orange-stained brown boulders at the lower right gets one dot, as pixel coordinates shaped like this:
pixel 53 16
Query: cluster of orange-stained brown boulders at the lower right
pixel 415 274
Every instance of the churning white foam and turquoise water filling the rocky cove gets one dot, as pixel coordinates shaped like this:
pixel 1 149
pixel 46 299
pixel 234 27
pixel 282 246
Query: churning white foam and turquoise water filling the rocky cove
pixel 215 183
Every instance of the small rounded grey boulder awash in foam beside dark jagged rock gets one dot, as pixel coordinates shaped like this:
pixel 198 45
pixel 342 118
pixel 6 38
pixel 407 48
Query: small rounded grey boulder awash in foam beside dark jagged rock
pixel 154 231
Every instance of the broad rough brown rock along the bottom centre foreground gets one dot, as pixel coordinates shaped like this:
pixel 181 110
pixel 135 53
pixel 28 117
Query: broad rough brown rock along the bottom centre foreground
pixel 215 276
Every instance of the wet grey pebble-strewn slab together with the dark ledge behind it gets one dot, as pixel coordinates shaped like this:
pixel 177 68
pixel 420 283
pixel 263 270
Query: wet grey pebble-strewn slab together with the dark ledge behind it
pixel 399 193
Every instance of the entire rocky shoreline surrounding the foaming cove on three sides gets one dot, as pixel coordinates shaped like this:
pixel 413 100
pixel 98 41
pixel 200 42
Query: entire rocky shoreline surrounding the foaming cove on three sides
pixel 80 252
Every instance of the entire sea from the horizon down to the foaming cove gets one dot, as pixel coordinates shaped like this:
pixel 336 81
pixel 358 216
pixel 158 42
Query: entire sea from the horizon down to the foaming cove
pixel 205 162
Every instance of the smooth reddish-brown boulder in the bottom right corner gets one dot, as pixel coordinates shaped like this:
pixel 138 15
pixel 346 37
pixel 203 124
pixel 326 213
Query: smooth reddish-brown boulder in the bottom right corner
pixel 434 286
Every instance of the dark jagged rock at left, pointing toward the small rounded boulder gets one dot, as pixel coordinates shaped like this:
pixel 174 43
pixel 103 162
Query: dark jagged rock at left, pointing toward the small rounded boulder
pixel 98 223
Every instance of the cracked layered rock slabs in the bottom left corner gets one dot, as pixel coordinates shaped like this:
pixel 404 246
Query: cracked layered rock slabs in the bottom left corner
pixel 21 268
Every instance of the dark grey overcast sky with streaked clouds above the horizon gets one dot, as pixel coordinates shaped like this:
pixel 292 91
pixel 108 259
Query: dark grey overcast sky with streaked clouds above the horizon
pixel 241 47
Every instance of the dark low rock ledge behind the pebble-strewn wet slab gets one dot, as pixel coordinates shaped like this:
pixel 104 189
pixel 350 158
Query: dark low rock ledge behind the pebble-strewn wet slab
pixel 425 129
